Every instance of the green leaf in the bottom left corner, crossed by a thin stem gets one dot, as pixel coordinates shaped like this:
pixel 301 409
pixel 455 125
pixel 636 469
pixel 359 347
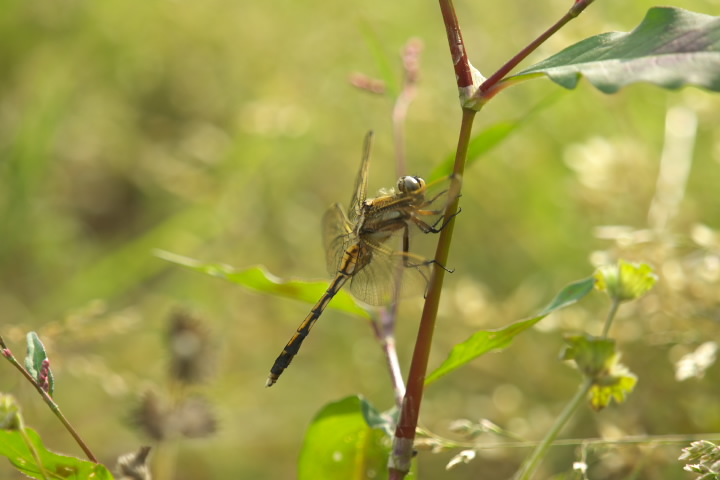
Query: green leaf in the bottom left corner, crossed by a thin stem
pixel 13 446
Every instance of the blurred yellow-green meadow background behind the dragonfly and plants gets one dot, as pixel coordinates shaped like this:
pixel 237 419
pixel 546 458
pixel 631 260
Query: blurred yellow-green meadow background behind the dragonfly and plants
pixel 222 130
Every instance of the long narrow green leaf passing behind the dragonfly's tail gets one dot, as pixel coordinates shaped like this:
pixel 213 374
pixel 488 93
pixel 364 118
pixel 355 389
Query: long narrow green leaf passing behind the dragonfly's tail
pixel 260 280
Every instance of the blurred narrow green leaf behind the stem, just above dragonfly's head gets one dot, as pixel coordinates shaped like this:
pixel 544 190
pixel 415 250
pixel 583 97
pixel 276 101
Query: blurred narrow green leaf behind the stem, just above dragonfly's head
pixel 491 137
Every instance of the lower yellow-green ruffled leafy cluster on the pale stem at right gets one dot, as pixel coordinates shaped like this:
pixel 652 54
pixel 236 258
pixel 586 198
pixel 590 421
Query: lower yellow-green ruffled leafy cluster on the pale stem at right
pixel 598 359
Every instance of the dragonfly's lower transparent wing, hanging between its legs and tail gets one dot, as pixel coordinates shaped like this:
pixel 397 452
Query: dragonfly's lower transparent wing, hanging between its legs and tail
pixel 388 275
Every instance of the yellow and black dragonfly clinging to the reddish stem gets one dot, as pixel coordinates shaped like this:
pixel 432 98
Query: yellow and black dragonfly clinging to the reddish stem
pixel 357 252
